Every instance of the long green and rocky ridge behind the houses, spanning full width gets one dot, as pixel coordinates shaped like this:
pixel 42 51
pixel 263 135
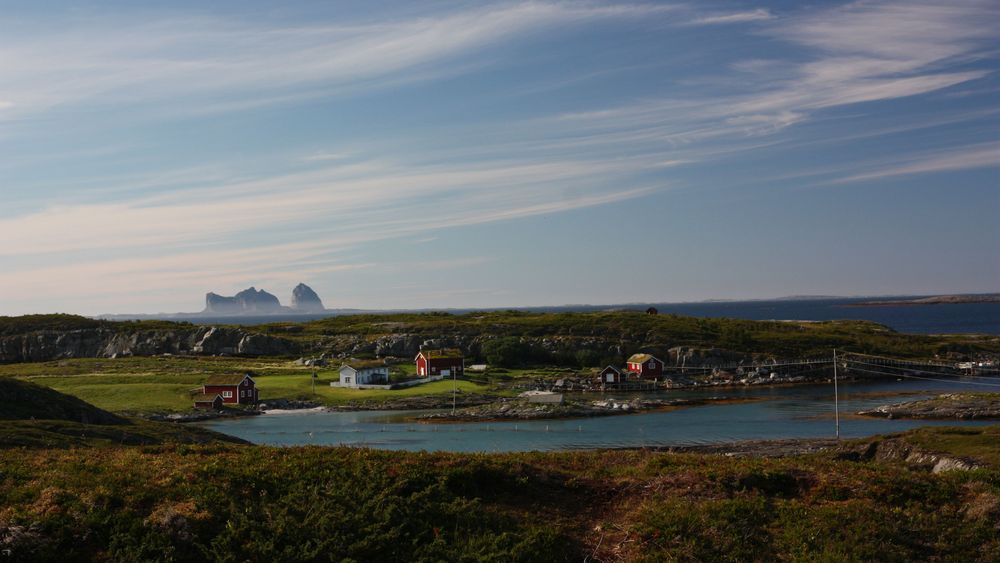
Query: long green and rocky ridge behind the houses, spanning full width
pixel 565 339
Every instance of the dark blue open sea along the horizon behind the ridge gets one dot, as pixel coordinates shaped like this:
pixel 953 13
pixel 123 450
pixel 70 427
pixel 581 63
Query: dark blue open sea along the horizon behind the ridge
pixel 958 318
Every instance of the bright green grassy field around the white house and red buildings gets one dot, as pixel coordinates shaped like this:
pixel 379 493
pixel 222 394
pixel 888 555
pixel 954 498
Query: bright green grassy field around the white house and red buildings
pixel 164 384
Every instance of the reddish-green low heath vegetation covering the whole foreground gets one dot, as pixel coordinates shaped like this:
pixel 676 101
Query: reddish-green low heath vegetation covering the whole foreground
pixel 233 503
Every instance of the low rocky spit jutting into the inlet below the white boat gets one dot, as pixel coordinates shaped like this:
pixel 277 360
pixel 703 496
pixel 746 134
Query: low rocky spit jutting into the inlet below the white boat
pixel 523 409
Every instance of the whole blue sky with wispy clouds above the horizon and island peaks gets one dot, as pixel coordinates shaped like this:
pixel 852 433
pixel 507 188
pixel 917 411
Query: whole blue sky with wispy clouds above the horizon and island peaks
pixel 494 154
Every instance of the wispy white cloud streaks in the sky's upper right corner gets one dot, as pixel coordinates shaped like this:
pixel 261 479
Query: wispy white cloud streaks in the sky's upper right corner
pixel 859 53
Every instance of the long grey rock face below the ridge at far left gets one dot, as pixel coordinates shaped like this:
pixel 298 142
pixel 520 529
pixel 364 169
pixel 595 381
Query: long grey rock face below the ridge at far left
pixel 43 346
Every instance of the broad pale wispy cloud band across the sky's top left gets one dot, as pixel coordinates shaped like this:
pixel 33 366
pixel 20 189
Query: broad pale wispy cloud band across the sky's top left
pixel 227 65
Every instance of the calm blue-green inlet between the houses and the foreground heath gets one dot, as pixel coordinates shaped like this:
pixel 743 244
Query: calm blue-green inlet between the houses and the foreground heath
pixel 778 412
